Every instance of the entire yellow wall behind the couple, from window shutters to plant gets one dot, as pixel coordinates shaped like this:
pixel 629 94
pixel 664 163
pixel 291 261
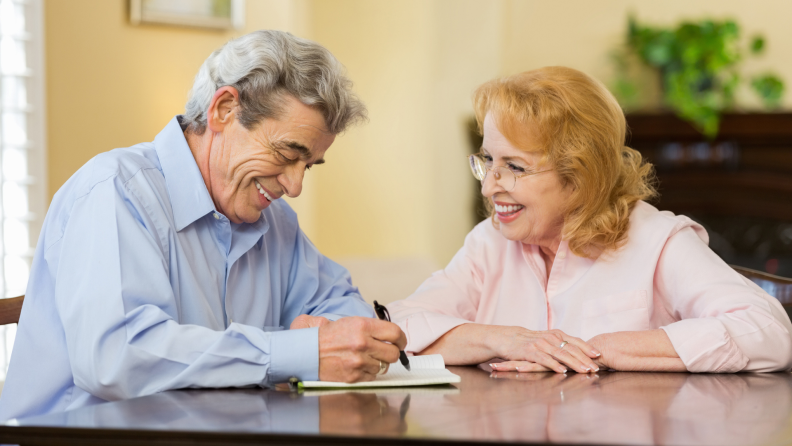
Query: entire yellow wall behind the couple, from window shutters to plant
pixel 399 185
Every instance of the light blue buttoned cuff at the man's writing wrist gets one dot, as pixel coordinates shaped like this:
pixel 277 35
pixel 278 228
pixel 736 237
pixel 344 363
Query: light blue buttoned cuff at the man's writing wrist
pixel 294 353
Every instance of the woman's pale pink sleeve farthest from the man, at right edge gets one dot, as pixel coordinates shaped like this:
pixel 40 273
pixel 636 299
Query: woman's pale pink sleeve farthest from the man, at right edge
pixel 727 323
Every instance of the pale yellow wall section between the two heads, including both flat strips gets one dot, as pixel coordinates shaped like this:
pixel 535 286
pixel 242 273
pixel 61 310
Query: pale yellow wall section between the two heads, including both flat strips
pixel 400 185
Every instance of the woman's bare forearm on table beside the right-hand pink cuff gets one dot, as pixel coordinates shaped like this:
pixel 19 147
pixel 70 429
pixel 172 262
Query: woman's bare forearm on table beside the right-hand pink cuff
pixel 637 351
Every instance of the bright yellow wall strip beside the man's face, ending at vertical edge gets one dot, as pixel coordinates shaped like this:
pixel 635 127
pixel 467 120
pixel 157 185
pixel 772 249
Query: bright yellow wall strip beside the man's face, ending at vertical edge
pixel 372 198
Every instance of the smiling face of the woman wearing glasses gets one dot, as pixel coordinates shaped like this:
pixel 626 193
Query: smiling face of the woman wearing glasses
pixel 532 211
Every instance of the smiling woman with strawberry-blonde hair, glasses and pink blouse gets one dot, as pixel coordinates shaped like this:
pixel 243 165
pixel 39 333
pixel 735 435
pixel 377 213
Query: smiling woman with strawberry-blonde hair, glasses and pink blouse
pixel 573 253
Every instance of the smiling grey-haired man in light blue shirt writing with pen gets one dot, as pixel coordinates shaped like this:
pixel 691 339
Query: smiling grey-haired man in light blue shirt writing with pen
pixel 174 264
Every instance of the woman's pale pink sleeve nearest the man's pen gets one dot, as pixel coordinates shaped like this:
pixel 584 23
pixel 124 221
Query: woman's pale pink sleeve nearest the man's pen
pixel 447 299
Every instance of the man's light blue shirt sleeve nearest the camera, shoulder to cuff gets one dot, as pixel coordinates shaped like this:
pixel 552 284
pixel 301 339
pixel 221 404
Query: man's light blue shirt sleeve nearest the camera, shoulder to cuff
pixel 120 315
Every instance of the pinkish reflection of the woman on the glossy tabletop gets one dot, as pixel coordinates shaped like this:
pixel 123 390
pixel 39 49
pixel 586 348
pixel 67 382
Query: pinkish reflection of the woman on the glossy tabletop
pixel 619 408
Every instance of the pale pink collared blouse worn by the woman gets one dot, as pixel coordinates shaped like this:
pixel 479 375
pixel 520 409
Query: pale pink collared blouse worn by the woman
pixel 664 277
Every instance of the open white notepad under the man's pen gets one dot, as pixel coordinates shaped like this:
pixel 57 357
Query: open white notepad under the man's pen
pixel 426 370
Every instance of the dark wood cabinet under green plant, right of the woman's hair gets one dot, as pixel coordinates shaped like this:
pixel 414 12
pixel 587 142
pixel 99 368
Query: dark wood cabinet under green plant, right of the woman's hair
pixel 738 185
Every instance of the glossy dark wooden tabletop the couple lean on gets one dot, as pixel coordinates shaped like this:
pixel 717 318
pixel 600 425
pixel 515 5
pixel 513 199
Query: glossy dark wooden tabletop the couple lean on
pixel 608 408
